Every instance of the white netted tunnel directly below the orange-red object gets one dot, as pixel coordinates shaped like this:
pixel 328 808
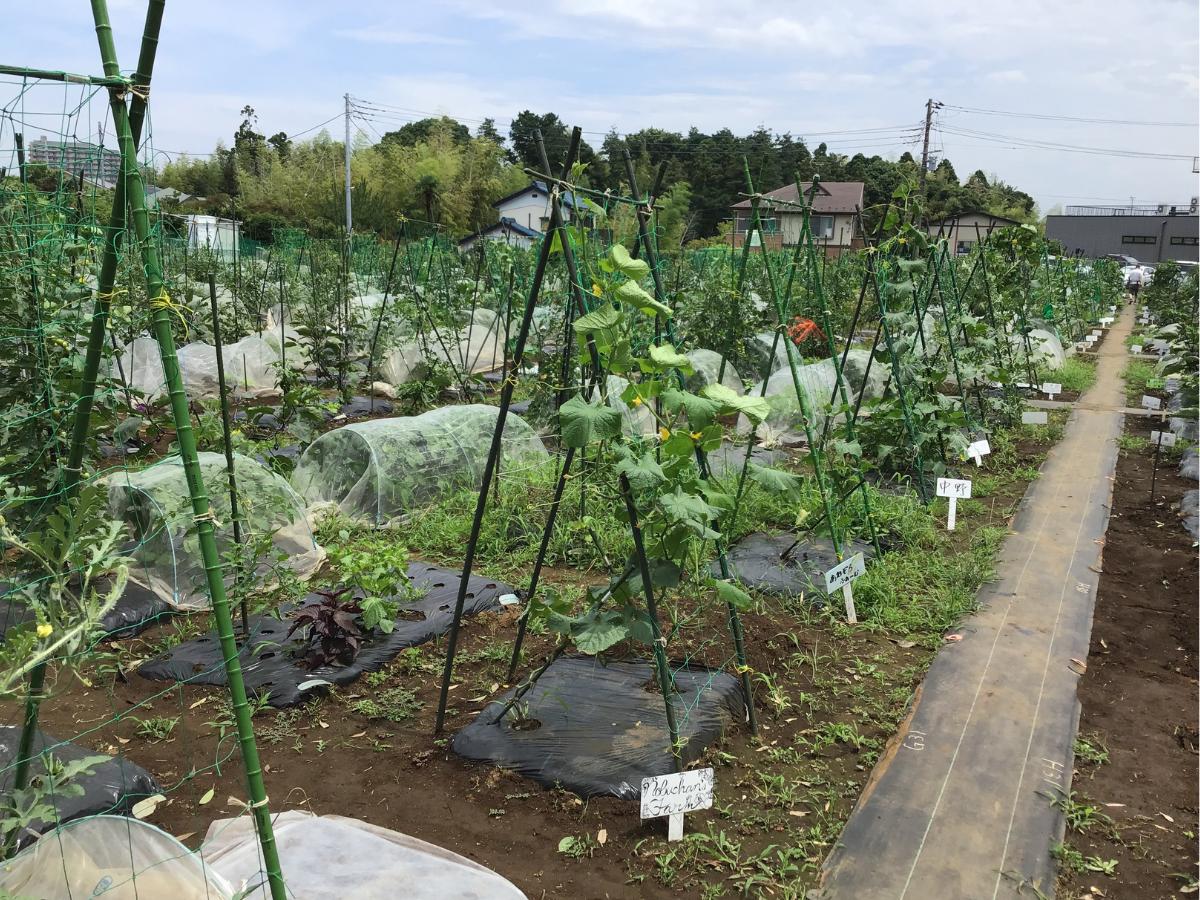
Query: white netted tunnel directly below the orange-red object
pixel 818 380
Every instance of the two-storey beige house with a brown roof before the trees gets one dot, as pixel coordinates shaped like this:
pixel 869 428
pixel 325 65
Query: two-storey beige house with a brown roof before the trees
pixel 835 221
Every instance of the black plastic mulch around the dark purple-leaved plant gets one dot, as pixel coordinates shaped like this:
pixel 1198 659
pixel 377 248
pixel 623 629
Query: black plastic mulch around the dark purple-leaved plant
pixel 273 663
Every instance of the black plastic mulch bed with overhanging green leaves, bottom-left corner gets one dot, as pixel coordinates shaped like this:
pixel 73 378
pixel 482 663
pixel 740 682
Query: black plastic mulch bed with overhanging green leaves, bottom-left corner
pixel 113 785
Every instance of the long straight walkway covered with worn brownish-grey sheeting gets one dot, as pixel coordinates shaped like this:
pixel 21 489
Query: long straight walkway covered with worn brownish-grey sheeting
pixel 961 809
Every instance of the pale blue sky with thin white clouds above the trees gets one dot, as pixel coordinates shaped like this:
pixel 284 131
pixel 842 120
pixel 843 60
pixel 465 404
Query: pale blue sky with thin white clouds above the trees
pixel 830 74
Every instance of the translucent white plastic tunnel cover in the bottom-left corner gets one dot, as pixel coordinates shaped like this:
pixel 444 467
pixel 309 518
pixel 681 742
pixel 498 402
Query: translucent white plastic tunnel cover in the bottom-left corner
pixel 113 857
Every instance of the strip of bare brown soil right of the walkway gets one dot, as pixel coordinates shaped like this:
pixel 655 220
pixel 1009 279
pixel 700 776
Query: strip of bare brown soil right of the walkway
pixel 1139 694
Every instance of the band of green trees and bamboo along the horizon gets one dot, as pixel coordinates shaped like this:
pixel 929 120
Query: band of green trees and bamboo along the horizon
pixel 437 173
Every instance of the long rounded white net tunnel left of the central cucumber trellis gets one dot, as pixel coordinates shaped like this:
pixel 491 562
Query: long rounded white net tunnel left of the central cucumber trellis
pixel 379 470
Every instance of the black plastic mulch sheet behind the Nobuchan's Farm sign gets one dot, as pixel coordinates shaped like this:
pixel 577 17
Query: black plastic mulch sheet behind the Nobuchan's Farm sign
pixel 597 728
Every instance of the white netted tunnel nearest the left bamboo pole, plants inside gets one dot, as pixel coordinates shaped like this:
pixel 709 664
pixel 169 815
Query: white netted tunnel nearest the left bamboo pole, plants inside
pixel 155 506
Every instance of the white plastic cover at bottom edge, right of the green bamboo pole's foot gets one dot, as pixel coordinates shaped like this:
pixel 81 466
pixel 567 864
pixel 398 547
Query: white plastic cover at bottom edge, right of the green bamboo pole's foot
pixel 322 856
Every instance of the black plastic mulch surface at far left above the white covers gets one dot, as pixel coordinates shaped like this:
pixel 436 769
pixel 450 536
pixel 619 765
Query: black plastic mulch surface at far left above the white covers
pixel 113 788
